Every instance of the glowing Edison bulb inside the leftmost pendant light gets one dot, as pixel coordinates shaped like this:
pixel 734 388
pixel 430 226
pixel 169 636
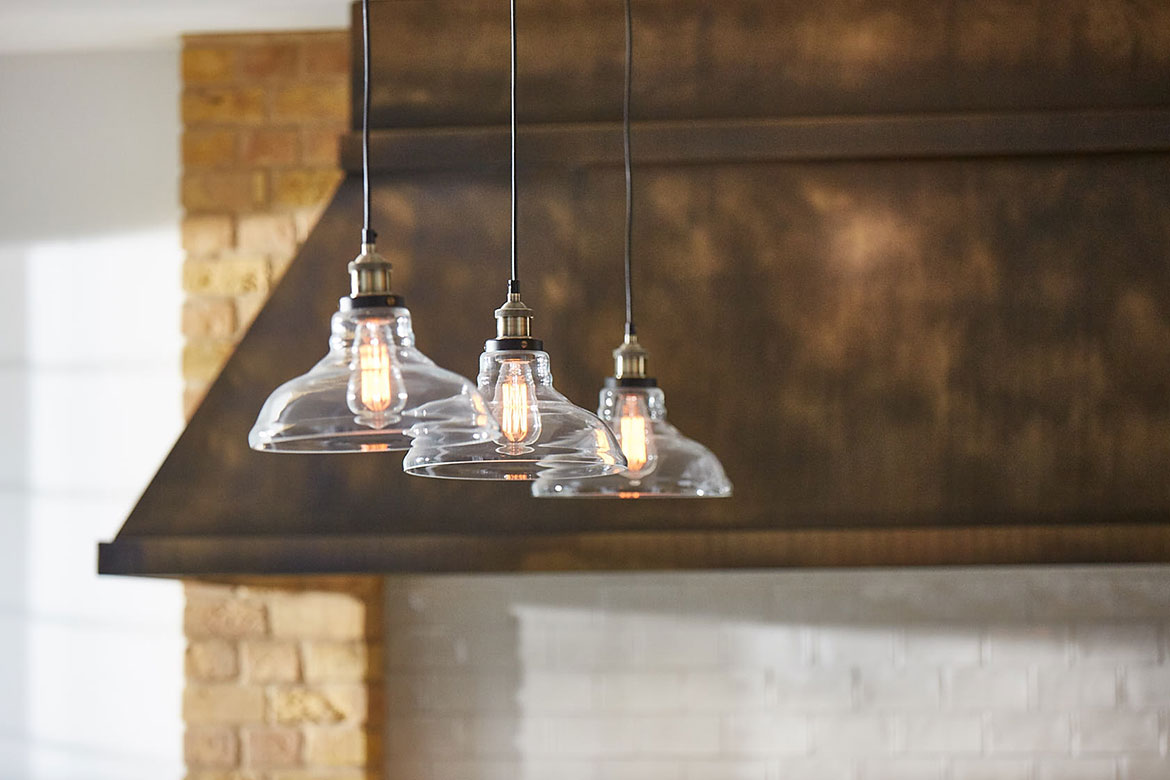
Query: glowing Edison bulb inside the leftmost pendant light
pixel 376 392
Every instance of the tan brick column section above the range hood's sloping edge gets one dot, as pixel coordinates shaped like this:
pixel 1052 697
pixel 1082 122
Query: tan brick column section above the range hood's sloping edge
pixel 261 118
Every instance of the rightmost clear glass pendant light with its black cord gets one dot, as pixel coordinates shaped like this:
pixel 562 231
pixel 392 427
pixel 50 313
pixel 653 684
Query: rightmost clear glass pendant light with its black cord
pixel 663 464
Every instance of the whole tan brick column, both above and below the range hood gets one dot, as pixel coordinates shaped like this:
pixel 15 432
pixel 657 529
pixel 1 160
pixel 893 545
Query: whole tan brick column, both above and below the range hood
pixel 283 675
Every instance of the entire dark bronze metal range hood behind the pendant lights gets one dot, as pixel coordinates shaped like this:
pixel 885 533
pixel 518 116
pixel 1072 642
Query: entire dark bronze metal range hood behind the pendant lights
pixel 938 288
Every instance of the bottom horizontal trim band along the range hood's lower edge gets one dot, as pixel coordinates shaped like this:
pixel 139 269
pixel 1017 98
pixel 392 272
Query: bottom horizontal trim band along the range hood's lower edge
pixel 639 551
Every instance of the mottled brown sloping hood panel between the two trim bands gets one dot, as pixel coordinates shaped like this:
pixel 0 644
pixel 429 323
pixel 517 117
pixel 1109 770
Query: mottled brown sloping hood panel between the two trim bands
pixel 946 343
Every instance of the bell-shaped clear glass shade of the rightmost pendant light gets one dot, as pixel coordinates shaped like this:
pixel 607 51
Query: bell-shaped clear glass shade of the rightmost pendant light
pixel 663 463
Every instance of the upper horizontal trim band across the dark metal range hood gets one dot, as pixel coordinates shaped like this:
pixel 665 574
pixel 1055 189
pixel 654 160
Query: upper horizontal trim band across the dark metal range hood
pixel 933 136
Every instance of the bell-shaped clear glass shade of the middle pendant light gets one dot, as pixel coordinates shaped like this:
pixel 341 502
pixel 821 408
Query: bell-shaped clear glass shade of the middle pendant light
pixel 541 433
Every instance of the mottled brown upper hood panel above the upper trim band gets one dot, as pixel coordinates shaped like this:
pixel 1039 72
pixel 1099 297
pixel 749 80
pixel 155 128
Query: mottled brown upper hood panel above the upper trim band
pixel 441 64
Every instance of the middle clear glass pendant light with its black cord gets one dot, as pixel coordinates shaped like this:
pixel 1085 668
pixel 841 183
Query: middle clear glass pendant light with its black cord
pixel 542 433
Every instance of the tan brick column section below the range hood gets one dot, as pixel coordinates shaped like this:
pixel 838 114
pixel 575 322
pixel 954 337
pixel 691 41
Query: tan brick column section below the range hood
pixel 284 680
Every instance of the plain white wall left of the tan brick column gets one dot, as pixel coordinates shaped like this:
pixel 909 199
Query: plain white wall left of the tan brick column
pixel 91 668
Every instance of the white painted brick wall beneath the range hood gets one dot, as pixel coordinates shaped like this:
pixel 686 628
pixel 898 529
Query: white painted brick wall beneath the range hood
pixel 996 674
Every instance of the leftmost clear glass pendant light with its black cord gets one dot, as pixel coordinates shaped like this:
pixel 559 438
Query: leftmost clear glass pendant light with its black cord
pixel 375 390
